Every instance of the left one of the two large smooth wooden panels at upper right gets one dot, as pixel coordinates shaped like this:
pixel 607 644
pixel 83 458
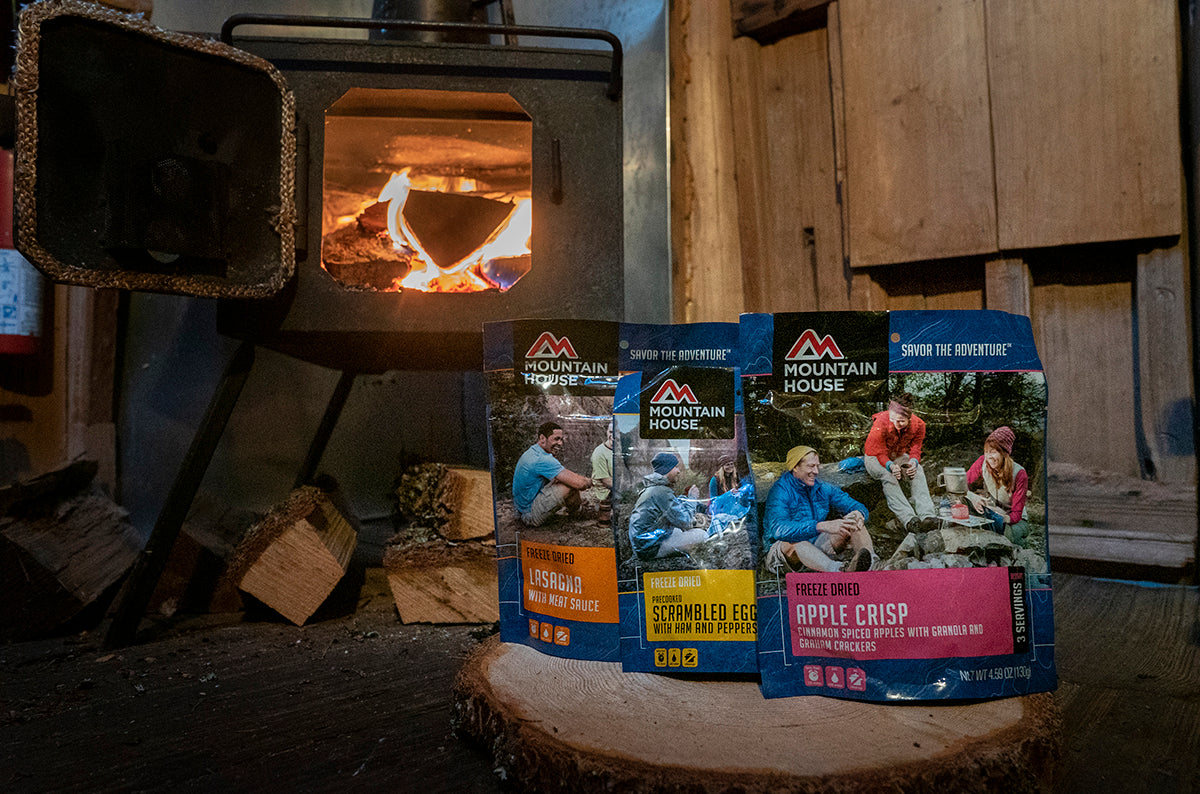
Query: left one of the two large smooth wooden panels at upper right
pixel 920 171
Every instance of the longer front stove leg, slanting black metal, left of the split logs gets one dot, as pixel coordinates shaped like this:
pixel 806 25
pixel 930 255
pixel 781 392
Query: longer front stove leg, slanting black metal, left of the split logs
pixel 149 567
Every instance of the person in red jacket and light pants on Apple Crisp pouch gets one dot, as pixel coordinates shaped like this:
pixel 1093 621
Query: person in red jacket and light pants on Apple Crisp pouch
pixel 892 455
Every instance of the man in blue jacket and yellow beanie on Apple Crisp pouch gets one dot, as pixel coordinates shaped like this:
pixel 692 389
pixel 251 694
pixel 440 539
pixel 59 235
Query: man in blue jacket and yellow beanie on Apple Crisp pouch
pixel 811 522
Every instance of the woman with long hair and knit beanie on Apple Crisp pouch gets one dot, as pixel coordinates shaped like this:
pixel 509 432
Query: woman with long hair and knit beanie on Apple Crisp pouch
pixel 1005 486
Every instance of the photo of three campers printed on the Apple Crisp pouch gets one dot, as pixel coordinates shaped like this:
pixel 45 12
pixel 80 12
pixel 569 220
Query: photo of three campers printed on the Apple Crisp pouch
pixel 927 478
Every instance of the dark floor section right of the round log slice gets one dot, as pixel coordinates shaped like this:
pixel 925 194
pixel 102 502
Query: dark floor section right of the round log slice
pixel 1129 658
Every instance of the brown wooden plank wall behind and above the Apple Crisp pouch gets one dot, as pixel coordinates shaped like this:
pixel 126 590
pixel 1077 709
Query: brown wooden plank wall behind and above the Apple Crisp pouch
pixel 1021 155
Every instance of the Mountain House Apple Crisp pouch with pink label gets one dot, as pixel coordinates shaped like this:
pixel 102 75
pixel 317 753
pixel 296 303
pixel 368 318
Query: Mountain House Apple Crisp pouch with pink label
pixel 901 468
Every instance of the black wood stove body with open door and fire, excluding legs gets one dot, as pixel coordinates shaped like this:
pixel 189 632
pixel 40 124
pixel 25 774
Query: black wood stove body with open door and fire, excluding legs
pixel 357 204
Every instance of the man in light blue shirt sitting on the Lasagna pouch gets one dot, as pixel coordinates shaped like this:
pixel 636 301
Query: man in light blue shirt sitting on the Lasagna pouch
pixel 542 485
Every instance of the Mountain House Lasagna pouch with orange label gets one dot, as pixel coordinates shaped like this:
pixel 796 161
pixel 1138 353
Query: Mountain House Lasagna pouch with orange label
pixel 550 394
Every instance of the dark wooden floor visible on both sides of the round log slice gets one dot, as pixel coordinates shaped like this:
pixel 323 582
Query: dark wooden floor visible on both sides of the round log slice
pixel 362 703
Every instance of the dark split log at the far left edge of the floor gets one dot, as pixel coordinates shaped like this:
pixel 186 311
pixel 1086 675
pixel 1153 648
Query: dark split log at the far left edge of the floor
pixel 64 544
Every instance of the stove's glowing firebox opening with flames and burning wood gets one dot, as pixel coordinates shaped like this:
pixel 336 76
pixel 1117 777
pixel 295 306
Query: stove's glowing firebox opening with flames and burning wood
pixel 427 193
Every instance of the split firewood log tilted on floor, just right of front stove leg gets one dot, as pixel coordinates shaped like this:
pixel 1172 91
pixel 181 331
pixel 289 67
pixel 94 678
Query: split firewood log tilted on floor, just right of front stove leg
pixel 295 558
